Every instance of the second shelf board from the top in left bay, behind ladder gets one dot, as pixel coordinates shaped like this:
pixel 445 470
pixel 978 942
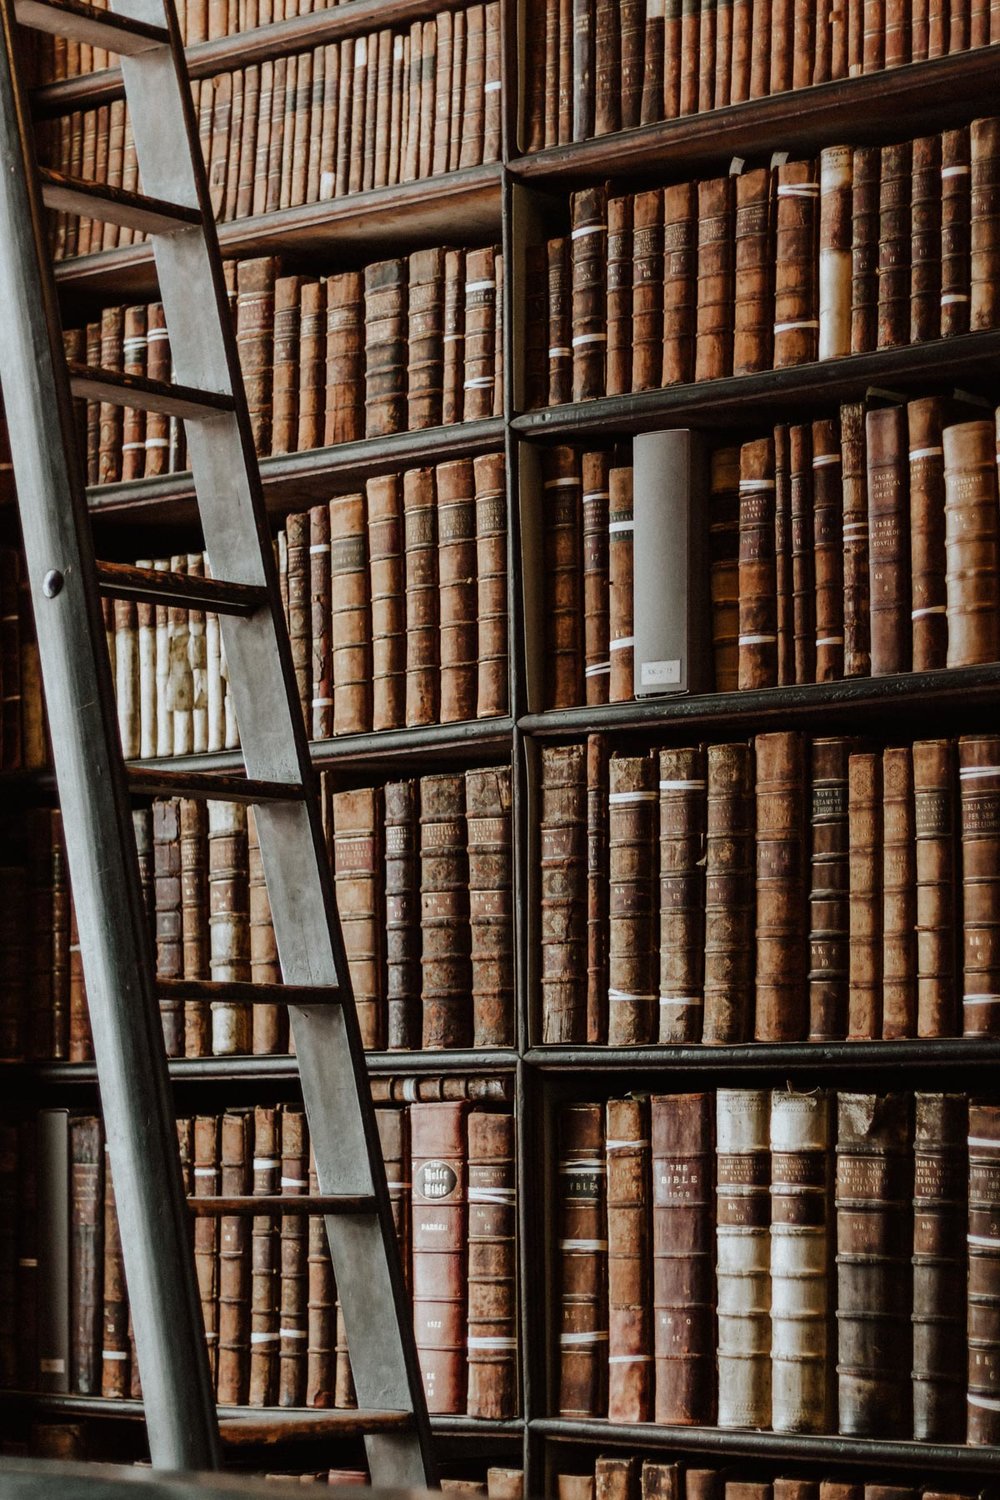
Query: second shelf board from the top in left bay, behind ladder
pixel 463 206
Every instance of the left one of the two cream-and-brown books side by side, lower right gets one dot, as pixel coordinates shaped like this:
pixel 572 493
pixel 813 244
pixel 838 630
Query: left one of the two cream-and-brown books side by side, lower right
pixel 743 1274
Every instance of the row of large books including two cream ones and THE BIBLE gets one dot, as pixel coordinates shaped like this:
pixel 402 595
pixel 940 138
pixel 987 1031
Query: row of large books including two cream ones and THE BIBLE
pixel 800 1262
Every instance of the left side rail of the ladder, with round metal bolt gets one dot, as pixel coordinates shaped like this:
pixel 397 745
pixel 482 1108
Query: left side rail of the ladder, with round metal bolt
pixel 97 817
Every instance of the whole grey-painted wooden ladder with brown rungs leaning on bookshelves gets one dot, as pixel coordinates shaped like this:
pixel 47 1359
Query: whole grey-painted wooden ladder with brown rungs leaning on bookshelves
pixel 97 785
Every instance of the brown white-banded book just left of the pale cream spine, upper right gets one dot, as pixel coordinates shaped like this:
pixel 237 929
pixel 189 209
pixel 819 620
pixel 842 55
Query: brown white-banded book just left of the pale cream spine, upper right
pixel 797 283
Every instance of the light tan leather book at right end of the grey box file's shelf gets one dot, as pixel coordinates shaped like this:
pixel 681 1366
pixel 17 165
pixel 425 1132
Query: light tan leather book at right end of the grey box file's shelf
pixel 972 544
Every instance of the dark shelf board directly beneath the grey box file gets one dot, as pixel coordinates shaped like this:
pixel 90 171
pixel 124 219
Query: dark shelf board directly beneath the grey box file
pixel 858 701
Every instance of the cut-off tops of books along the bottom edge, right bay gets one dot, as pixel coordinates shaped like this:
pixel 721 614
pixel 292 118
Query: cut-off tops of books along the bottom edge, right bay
pixel 630 1478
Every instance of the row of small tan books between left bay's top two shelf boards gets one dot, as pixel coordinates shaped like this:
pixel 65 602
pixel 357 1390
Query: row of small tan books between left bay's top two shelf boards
pixel 368 112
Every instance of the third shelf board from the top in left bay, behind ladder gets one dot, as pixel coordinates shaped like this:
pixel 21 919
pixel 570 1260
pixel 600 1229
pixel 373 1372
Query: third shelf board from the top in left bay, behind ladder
pixel 293 481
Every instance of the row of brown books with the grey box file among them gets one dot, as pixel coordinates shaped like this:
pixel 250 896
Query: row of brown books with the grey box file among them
pixel 852 547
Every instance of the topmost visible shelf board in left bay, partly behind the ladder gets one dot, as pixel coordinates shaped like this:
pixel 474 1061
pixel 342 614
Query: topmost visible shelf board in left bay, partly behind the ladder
pixel 281 40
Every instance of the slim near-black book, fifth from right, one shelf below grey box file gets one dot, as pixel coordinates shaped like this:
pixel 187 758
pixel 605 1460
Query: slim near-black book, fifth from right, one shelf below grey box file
pixel 830 892
